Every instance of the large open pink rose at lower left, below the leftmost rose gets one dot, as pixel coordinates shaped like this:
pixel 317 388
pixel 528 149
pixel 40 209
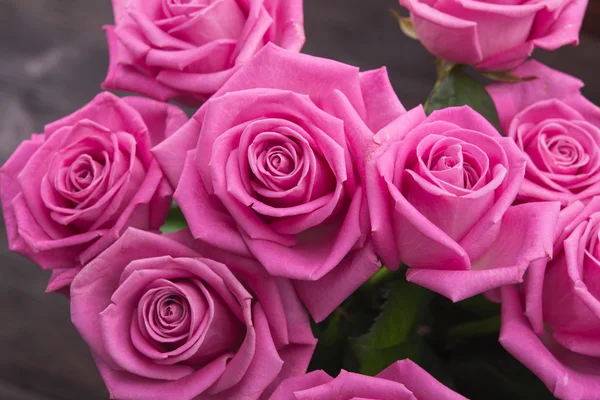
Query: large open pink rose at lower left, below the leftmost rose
pixel 164 322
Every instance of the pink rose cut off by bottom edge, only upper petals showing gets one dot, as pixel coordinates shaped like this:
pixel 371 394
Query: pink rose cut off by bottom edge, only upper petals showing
pixel 403 380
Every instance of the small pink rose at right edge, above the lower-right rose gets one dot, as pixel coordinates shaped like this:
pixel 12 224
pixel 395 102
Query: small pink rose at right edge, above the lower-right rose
pixel 557 128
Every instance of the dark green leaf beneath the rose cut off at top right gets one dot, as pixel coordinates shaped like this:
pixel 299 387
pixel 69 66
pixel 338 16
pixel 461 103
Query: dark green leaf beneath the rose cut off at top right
pixel 460 89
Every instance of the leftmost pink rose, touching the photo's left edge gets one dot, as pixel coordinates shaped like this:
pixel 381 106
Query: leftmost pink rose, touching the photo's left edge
pixel 69 193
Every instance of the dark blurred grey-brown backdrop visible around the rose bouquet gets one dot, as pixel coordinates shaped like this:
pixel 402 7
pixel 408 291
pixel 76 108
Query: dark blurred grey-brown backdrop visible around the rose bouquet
pixel 52 59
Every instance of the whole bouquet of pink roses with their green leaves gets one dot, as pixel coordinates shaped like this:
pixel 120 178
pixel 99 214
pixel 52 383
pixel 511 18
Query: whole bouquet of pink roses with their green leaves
pixel 301 235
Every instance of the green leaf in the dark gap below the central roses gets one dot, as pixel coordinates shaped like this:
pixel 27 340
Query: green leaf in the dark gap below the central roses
pixel 387 340
